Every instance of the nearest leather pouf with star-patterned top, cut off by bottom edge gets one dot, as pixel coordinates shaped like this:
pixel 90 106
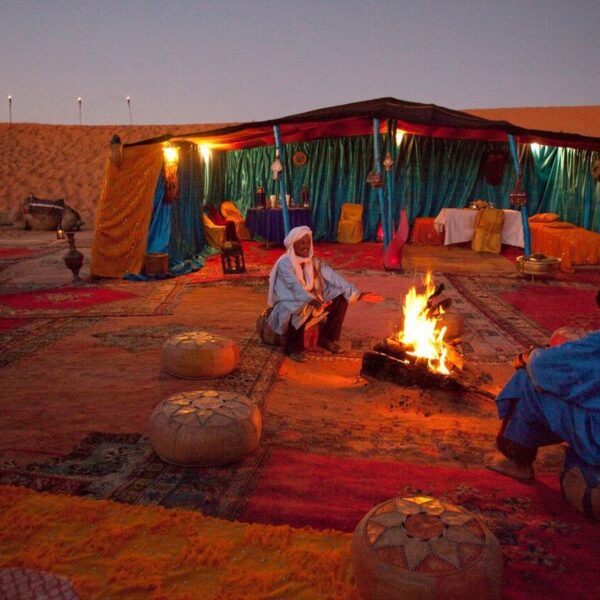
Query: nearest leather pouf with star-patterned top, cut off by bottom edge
pixel 424 548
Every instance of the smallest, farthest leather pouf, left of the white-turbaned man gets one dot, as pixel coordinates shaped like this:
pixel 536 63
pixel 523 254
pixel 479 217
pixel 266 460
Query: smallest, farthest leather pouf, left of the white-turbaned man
pixel 199 355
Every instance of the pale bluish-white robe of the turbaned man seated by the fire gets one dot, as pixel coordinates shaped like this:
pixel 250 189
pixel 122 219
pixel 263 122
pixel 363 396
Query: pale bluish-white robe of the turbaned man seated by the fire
pixel 290 297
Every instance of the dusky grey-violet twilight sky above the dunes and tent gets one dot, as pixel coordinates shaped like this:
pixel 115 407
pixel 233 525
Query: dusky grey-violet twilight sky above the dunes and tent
pixel 209 61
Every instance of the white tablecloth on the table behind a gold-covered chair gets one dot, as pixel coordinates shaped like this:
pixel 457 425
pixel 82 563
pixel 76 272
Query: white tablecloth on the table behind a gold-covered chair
pixel 459 224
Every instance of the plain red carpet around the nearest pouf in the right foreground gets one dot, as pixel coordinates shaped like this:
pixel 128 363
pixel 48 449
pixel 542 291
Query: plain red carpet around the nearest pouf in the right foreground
pixel 544 542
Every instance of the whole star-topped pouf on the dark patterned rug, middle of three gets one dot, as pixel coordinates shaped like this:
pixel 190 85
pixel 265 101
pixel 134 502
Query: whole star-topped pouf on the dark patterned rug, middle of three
pixel 204 428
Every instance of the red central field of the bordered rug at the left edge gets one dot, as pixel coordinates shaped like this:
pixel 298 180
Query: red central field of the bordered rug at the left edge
pixel 63 298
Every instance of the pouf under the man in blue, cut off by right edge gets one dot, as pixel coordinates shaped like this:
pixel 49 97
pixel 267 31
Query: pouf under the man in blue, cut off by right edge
pixel 580 485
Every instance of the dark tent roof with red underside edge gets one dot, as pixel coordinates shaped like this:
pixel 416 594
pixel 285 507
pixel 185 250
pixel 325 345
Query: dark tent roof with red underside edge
pixel 357 119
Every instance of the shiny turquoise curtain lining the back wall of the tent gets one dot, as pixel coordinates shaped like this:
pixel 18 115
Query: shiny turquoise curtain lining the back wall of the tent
pixel 430 174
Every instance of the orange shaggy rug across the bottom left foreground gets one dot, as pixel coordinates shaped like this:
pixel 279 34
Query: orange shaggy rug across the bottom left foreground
pixel 110 550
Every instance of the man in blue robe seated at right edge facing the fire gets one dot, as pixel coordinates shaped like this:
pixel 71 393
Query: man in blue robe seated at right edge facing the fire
pixel 553 397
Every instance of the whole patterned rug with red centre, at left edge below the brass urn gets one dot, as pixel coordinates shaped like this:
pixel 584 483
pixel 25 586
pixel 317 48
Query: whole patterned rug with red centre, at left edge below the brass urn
pixel 114 299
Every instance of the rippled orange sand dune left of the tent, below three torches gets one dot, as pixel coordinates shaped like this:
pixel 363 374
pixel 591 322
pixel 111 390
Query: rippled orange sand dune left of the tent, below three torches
pixel 64 161
